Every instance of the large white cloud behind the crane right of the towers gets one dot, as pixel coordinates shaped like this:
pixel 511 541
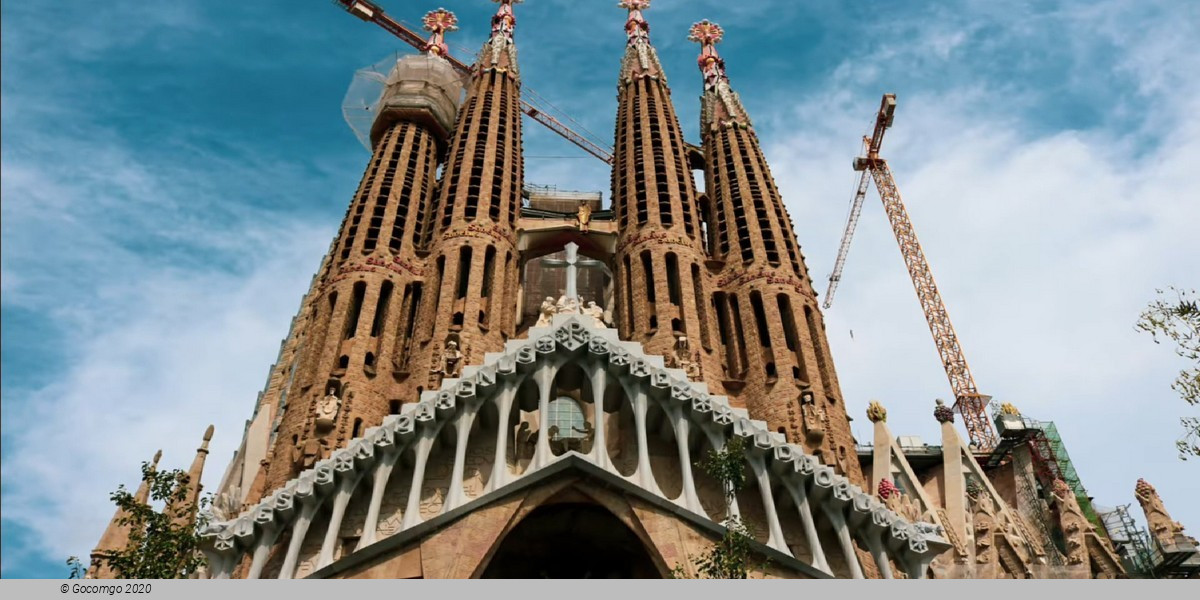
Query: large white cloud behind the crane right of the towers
pixel 1046 247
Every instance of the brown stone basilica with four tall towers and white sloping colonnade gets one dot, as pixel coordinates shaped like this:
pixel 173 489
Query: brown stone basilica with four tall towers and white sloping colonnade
pixel 495 380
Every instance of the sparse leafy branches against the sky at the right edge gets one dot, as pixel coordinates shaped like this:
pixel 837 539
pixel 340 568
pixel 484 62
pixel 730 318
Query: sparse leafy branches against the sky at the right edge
pixel 1178 321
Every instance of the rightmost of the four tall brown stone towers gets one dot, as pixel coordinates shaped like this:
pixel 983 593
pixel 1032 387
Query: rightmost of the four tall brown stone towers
pixel 772 331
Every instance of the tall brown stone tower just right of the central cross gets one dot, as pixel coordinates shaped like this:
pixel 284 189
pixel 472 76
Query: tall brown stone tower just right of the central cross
pixel 661 261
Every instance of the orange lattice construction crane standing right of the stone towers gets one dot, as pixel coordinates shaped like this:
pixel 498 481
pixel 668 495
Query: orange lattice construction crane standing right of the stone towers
pixel 968 400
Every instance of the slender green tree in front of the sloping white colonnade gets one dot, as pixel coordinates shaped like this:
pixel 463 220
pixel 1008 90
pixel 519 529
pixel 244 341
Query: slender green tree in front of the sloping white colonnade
pixel 730 559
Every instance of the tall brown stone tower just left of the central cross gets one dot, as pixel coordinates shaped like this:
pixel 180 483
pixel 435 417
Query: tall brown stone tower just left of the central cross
pixel 472 232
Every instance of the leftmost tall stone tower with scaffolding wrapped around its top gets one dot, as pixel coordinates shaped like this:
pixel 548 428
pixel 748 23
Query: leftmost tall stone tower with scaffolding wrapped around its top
pixel 356 365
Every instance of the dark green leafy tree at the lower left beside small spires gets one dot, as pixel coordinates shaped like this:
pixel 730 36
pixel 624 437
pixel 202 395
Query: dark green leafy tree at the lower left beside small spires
pixel 164 543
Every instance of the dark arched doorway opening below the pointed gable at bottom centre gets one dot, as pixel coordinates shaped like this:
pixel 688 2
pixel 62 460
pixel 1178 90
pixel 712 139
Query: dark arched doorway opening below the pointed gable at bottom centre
pixel 581 542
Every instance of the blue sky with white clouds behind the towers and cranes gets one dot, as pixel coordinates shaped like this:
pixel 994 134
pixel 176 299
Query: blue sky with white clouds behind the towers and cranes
pixel 173 172
